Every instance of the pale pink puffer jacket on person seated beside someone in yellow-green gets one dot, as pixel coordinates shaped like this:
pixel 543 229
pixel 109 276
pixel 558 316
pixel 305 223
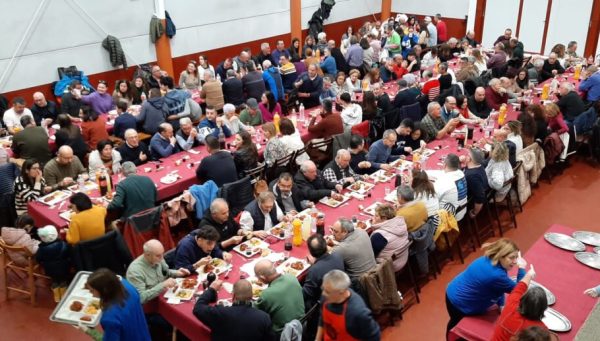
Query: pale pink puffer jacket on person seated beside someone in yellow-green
pixel 395 232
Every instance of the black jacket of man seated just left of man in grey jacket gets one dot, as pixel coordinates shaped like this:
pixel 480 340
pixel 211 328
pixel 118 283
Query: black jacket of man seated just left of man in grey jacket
pixel 311 290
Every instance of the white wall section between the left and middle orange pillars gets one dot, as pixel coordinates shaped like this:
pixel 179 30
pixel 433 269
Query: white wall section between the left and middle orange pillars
pixel 210 24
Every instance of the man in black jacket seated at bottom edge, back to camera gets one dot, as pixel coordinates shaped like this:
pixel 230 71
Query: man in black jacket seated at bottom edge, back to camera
pixel 240 321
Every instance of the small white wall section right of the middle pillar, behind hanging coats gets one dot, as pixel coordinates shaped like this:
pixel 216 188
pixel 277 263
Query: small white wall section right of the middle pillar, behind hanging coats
pixel 343 10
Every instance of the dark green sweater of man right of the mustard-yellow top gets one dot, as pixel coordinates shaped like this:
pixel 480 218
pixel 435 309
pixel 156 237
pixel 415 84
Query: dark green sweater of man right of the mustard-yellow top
pixel 134 194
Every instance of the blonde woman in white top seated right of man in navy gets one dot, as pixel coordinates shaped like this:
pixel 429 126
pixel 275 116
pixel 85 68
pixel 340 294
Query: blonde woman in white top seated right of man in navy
pixel 499 170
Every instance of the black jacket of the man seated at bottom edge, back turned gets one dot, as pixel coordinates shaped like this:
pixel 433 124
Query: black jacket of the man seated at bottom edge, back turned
pixel 239 322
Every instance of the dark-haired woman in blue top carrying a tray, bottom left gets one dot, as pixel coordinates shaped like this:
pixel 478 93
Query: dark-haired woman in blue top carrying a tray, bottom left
pixel 122 313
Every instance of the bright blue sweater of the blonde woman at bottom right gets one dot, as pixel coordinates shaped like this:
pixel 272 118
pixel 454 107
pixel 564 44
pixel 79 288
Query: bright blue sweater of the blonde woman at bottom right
pixel 480 286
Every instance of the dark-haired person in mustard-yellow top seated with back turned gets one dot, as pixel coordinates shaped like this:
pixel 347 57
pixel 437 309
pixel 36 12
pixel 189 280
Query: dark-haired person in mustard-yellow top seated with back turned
pixel 87 221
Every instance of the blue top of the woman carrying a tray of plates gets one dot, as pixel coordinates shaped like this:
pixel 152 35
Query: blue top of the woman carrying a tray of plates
pixel 125 322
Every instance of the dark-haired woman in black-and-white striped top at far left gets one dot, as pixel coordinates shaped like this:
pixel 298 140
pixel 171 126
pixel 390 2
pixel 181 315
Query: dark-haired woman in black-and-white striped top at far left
pixel 29 186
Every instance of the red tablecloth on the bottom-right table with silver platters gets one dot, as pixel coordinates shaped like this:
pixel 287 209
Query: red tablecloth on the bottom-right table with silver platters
pixel 561 273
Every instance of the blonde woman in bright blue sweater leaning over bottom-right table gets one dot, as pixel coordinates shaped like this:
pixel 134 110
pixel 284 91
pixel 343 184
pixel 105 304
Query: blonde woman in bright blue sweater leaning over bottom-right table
pixel 484 282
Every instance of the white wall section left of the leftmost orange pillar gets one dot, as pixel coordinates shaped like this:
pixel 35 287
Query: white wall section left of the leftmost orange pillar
pixel 64 36
